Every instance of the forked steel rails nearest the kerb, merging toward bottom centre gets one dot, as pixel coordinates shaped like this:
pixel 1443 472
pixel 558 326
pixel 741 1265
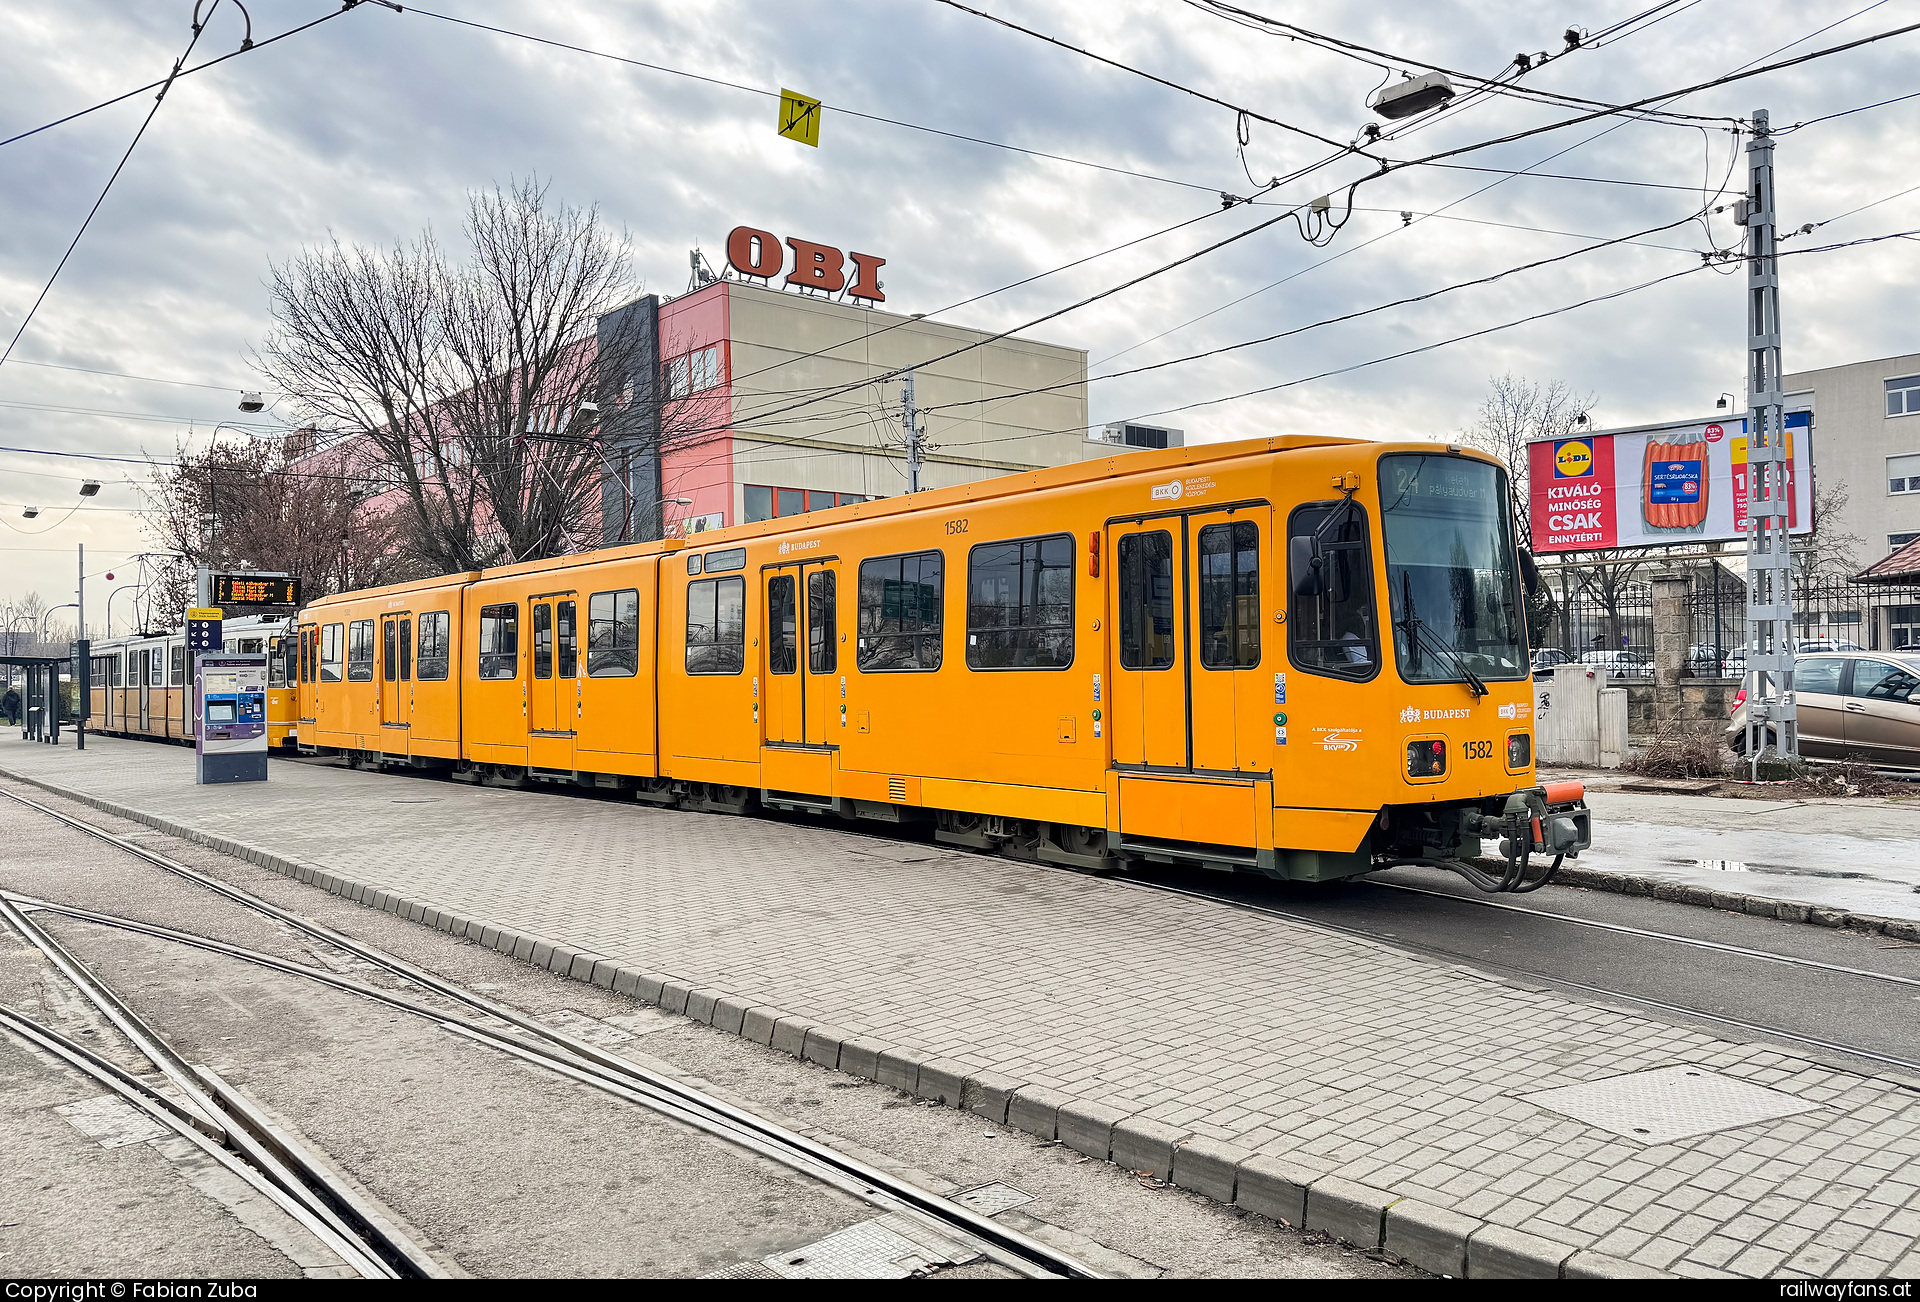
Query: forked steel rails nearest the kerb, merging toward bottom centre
pixel 1003 1243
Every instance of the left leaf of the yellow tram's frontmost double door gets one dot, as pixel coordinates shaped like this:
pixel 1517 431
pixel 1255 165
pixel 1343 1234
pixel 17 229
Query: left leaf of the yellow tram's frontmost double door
pixel 1149 708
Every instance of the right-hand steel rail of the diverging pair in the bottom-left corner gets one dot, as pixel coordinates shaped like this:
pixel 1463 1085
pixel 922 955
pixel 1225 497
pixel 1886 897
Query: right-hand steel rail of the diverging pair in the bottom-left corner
pixel 310 1186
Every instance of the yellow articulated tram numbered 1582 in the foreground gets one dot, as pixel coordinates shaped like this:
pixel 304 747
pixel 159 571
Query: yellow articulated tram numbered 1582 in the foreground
pixel 1293 656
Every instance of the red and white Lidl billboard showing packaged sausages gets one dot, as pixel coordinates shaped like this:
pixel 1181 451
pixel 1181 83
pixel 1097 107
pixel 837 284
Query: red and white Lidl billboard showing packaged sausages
pixel 1656 487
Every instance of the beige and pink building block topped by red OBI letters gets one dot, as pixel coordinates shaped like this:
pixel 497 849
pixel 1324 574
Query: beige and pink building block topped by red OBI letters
pixel 775 404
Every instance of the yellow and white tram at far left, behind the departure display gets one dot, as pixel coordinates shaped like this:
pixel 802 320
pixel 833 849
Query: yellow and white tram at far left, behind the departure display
pixel 141 687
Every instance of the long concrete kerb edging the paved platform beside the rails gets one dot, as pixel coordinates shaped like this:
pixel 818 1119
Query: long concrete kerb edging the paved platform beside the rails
pixel 1276 1188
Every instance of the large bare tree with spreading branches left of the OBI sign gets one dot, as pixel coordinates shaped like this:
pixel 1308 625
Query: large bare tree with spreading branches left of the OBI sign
pixel 485 391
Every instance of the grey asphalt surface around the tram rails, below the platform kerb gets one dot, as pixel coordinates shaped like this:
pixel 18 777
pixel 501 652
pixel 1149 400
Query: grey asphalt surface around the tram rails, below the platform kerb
pixel 498 1167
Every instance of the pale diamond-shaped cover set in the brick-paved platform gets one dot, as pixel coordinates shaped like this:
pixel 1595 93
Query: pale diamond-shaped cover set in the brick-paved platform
pixel 1669 1103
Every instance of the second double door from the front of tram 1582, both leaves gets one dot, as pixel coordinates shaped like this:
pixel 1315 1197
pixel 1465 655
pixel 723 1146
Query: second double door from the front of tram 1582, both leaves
pixel 802 685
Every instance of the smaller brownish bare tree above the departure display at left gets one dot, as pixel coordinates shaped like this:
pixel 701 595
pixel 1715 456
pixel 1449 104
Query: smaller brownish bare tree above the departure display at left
pixel 237 504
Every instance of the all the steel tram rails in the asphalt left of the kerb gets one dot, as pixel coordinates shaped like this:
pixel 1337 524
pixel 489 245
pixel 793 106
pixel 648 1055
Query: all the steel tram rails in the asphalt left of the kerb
pixel 525 1038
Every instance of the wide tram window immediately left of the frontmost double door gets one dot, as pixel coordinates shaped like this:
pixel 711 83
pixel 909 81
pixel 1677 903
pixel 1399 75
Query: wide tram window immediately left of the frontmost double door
pixel 1020 604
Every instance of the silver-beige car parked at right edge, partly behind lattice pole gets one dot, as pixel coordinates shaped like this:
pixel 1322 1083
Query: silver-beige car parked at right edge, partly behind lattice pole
pixel 1852 706
